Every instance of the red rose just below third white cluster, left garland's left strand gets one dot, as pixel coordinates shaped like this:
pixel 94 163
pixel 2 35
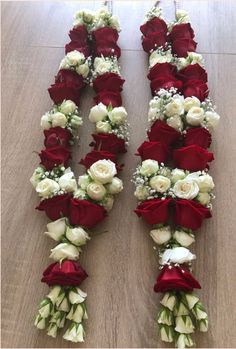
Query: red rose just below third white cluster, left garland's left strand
pixel 57 136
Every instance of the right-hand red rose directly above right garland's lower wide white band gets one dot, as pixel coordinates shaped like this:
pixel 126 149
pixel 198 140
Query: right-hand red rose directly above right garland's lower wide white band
pixel 192 158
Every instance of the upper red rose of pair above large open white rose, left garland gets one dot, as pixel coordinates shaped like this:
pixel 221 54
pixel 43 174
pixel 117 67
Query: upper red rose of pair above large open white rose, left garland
pixel 108 142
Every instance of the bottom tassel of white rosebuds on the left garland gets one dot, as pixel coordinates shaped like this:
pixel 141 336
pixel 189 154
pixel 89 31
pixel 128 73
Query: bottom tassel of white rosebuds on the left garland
pixel 61 304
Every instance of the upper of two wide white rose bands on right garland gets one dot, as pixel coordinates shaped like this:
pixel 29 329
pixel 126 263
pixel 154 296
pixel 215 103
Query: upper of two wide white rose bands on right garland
pixel 181 113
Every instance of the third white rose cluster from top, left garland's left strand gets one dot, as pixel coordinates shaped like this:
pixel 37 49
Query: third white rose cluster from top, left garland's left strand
pixel 65 115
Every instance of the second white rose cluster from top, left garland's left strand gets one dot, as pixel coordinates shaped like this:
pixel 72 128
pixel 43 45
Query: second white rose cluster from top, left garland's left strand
pixel 75 60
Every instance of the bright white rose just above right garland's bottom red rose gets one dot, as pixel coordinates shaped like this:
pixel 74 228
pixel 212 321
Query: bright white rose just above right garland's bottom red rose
pixel 178 255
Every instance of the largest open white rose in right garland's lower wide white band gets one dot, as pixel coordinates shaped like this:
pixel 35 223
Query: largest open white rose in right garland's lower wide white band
pixel 186 189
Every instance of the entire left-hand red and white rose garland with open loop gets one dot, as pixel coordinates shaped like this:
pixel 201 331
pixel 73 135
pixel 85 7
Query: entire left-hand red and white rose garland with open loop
pixel 75 207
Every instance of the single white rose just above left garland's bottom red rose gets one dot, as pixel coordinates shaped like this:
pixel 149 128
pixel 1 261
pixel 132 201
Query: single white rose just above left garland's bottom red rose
pixel 64 251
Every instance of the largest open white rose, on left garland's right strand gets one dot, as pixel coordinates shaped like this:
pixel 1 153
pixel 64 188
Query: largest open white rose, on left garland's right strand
pixel 103 171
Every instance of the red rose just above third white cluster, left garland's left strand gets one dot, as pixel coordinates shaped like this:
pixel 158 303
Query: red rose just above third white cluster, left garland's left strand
pixel 60 91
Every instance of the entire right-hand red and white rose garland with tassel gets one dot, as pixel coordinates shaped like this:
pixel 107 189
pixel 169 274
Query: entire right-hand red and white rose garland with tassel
pixel 173 185
